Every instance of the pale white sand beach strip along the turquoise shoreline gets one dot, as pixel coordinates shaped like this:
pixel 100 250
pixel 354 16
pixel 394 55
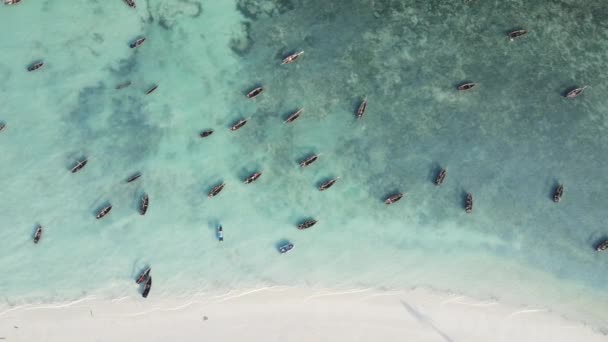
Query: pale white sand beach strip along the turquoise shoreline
pixel 281 314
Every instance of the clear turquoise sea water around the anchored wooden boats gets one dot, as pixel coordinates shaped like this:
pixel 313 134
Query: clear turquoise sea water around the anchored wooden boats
pixel 509 142
